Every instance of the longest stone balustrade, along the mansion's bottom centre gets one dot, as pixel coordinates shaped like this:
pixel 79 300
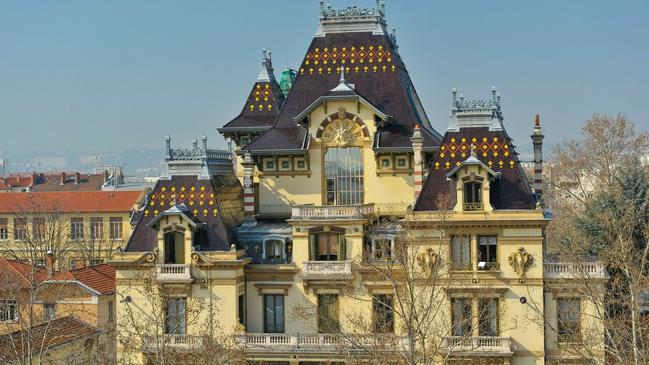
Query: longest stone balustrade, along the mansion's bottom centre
pixel 320 343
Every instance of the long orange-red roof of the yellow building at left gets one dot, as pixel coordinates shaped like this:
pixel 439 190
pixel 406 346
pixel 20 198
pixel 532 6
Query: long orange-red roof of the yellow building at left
pixel 69 202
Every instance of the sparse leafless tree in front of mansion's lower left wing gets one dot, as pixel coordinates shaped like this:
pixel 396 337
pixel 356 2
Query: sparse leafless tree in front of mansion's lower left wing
pixel 162 328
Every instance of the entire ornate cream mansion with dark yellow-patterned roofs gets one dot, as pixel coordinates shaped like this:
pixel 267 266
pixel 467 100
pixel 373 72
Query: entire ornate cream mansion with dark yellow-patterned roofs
pixel 333 177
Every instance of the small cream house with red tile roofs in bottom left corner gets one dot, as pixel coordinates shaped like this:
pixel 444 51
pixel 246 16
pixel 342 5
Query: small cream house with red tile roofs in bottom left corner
pixel 42 301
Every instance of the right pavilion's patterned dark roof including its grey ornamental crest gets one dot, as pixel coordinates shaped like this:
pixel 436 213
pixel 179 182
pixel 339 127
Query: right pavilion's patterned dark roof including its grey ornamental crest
pixel 477 126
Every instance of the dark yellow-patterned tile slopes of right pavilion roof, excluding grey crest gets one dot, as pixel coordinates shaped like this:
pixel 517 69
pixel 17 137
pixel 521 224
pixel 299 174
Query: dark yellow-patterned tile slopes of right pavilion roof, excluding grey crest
pixel 495 149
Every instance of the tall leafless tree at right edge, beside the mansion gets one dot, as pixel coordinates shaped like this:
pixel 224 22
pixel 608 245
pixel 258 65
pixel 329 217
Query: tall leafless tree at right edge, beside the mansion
pixel 600 195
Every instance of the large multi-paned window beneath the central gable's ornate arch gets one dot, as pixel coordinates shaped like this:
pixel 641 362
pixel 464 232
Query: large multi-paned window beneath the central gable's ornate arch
pixel 344 176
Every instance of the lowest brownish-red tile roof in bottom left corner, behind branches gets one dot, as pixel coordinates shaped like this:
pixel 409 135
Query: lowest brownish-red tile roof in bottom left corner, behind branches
pixel 45 337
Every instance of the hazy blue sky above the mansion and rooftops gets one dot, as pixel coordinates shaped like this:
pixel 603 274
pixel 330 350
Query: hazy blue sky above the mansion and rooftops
pixel 107 75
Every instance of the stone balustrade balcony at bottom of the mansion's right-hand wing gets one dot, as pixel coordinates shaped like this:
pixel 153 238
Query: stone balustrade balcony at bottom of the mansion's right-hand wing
pixel 477 346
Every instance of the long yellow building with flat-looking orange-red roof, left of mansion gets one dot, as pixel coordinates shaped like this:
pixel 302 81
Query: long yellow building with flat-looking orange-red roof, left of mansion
pixel 80 227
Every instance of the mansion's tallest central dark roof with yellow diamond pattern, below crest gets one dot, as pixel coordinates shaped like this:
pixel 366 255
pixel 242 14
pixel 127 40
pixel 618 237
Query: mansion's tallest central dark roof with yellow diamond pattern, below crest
pixel 373 64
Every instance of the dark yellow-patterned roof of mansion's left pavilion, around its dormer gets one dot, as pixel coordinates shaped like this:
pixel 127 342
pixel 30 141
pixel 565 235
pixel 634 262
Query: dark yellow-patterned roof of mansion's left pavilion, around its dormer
pixel 217 203
